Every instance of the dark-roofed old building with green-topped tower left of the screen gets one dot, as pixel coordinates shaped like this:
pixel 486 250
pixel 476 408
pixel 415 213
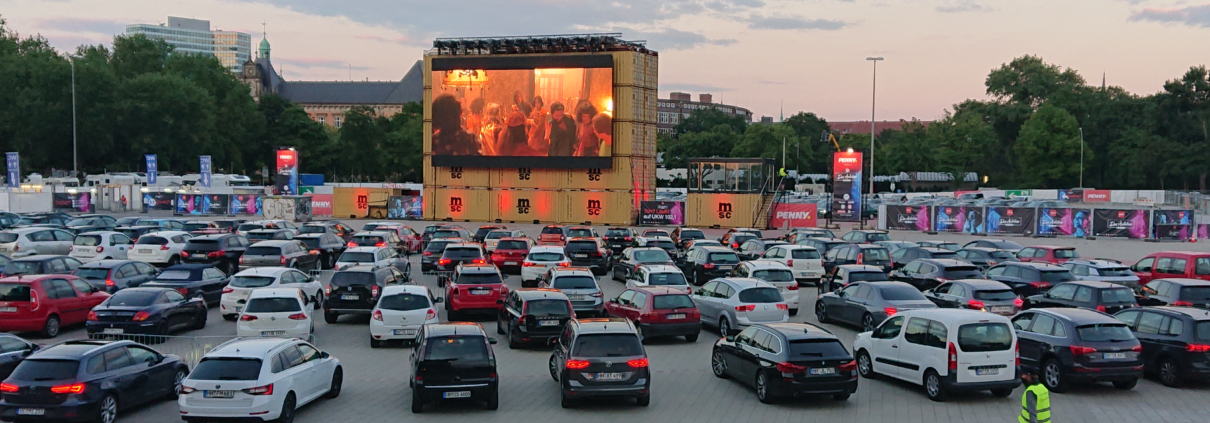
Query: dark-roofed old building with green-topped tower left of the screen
pixel 327 102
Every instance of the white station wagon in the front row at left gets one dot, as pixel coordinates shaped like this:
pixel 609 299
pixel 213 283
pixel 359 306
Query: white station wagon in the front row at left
pixel 267 379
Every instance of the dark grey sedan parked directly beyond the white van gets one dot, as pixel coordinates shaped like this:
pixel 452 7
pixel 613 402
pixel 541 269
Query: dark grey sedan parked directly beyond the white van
pixel 868 304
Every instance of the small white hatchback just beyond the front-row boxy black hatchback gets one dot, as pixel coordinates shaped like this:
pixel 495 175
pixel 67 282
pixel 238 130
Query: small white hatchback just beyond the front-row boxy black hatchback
pixel 400 314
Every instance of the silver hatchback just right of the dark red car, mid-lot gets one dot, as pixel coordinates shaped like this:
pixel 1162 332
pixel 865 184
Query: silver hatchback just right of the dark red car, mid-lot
pixel 735 304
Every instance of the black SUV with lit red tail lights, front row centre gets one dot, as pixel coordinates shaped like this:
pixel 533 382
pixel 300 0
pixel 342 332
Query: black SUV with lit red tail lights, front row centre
pixel 601 358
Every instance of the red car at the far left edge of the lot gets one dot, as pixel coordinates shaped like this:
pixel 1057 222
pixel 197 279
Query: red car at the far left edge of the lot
pixel 47 303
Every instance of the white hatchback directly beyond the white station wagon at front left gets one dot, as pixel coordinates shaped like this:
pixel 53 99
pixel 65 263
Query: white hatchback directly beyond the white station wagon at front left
pixel 284 312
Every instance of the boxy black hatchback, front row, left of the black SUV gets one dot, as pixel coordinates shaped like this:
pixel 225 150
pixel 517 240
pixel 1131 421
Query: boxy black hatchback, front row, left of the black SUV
pixel 454 361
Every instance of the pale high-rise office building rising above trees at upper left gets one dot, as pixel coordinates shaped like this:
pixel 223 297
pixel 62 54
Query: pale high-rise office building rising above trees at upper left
pixel 194 37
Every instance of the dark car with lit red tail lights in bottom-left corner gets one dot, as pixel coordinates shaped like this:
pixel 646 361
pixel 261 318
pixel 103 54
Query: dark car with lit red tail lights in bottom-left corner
pixel 84 381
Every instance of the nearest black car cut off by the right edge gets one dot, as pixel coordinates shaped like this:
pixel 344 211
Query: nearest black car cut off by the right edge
pixel 1176 343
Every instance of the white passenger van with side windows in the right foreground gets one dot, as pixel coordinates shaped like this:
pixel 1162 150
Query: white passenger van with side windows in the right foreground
pixel 946 350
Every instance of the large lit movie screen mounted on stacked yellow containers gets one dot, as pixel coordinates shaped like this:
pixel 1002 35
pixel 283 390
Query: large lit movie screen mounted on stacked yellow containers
pixel 538 112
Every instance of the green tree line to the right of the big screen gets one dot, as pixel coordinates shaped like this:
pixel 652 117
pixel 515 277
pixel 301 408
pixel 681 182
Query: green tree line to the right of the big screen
pixel 1027 135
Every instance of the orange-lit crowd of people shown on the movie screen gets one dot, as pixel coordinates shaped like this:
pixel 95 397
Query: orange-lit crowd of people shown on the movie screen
pixel 527 128
